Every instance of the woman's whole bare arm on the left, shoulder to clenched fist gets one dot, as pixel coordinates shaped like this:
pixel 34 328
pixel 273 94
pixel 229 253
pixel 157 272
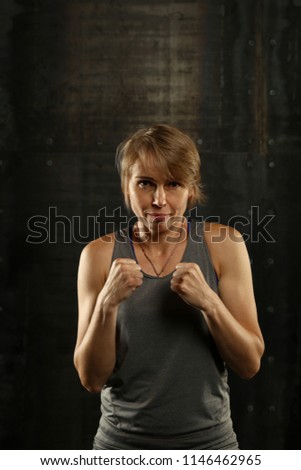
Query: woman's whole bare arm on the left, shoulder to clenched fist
pixel 101 288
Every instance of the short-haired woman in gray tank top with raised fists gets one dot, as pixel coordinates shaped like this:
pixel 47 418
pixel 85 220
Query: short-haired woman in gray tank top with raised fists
pixel 165 307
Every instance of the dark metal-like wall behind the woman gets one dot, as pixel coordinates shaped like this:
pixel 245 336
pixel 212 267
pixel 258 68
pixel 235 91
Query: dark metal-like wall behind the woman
pixel 75 78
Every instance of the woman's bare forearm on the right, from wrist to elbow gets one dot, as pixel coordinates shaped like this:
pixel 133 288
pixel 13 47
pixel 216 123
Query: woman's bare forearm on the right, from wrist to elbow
pixel 239 347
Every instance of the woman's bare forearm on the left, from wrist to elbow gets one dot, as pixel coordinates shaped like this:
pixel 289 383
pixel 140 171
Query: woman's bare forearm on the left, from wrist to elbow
pixel 95 356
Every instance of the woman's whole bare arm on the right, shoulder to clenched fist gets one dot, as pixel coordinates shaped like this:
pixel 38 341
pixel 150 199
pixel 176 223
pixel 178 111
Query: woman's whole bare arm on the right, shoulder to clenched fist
pixel 231 316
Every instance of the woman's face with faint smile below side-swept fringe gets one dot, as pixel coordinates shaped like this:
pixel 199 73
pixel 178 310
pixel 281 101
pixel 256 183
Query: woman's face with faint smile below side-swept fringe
pixel 155 199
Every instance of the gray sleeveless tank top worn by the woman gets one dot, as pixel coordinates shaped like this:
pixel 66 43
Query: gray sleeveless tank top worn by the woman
pixel 170 383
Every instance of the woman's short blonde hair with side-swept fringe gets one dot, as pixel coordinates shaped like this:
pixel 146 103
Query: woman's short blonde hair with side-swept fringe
pixel 172 151
